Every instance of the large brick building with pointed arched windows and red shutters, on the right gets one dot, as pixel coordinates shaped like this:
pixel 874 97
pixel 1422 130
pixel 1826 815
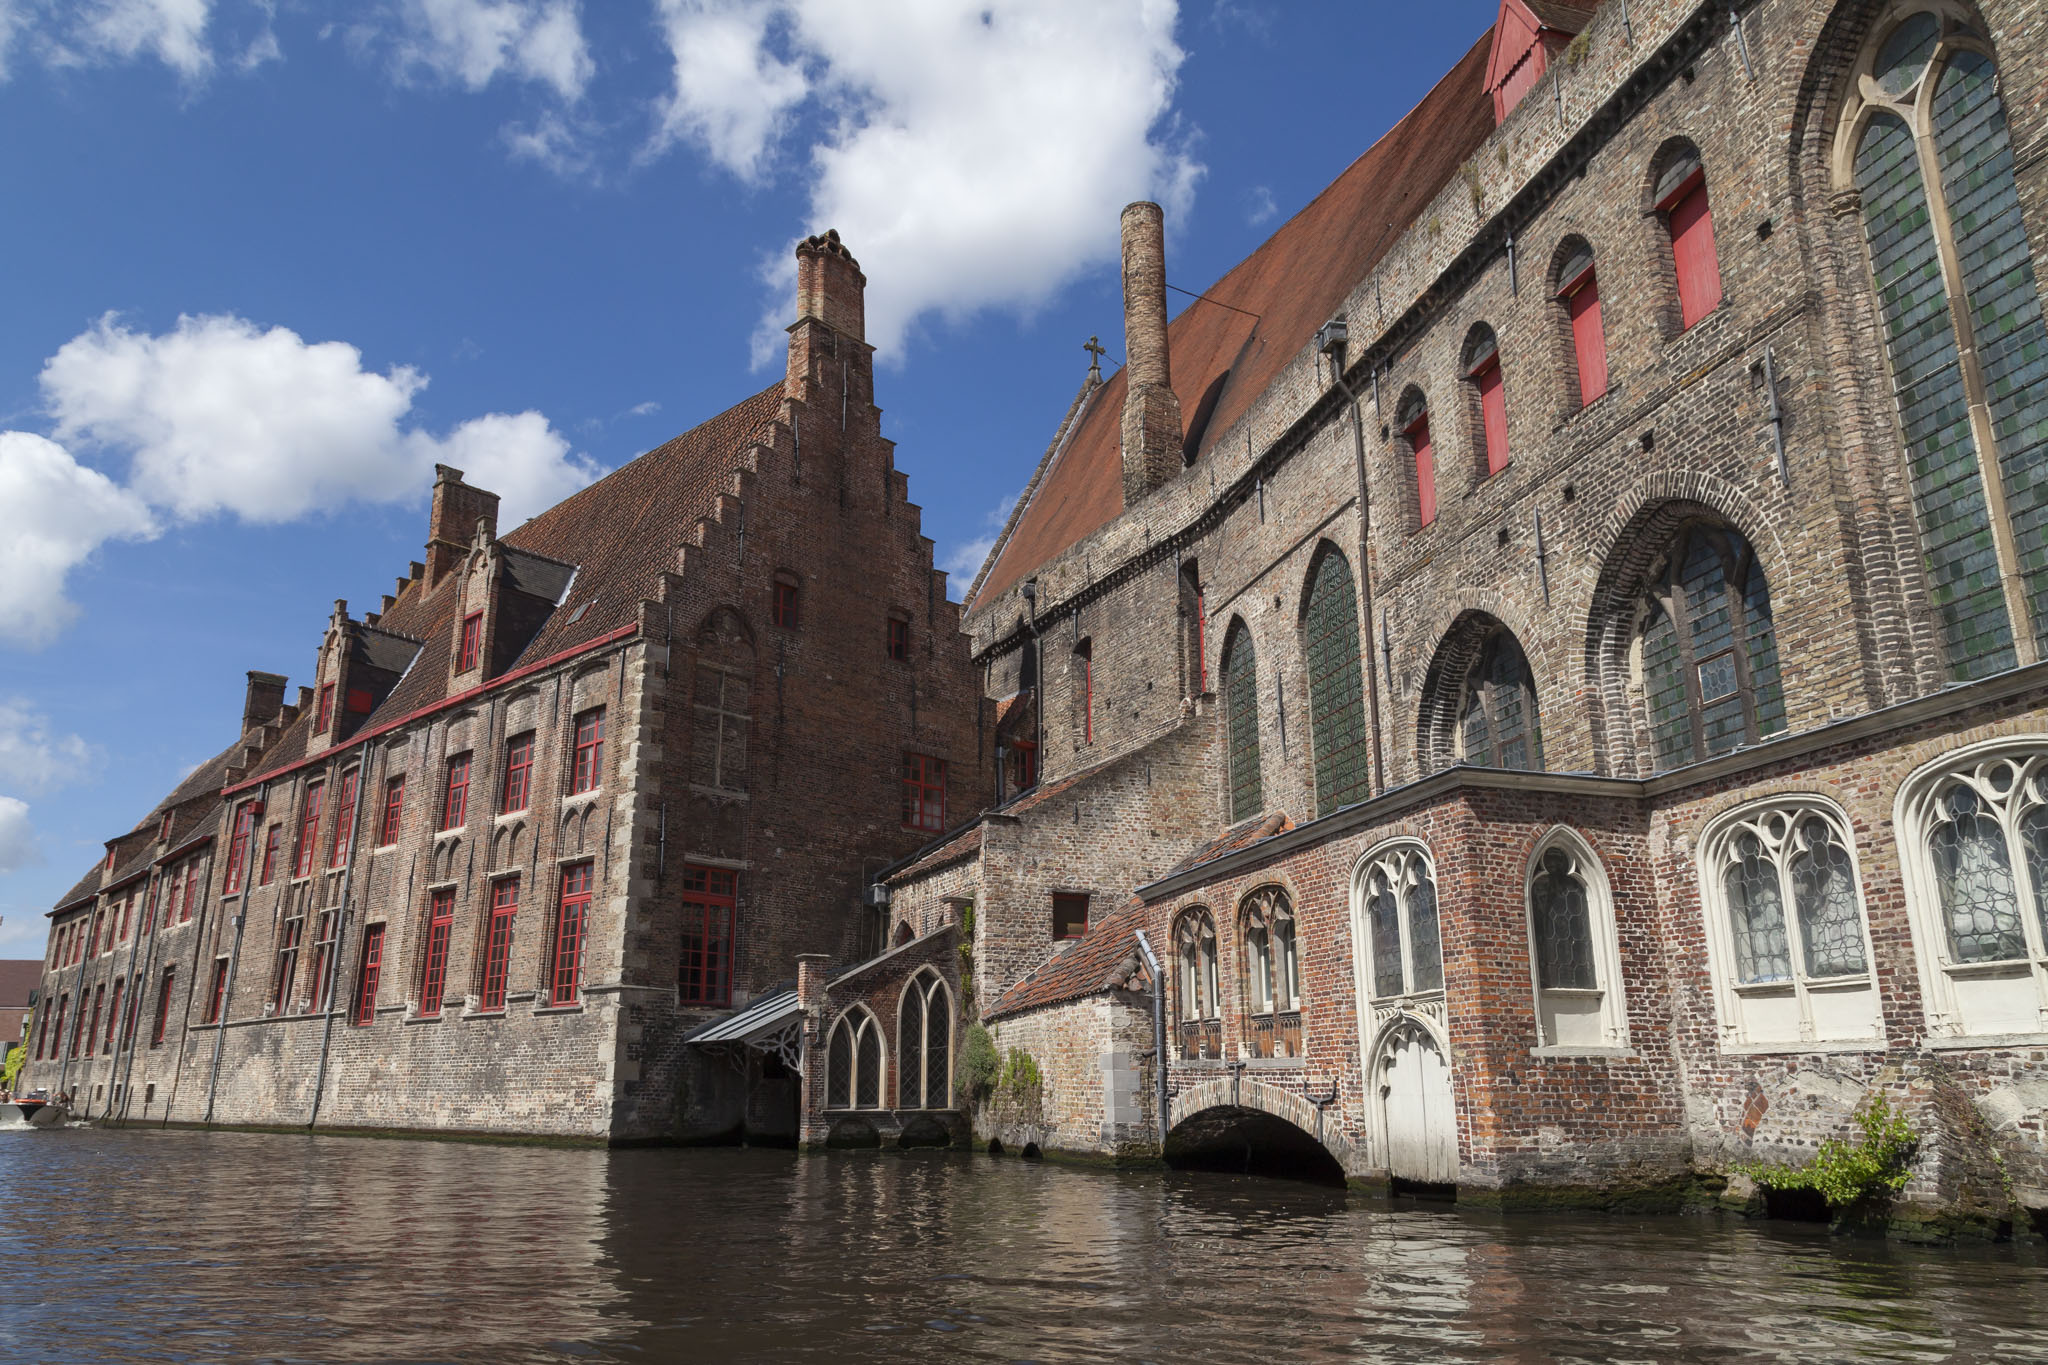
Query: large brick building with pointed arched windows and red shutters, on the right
pixel 1539 674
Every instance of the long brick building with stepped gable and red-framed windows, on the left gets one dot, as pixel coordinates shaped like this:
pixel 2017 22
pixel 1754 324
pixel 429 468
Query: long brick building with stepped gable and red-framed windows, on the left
pixel 564 797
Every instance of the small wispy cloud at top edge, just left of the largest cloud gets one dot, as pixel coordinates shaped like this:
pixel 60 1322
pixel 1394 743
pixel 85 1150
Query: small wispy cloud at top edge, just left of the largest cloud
pixel 474 42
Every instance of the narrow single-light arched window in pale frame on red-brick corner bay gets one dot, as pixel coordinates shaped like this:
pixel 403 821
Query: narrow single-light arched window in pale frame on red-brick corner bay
pixel 1574 951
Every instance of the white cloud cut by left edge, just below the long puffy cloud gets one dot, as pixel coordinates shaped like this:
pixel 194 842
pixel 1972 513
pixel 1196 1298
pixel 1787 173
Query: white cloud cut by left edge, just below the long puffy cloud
pixel 54 513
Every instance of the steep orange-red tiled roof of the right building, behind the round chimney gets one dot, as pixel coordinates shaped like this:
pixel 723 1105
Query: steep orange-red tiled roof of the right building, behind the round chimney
pixel 1295 283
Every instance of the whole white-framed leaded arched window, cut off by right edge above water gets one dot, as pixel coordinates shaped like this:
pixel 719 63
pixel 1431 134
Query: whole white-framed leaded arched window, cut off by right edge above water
pixel 1975 840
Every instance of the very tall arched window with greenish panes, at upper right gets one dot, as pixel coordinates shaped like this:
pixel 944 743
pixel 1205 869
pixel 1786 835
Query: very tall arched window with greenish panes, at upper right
pixel 1926 146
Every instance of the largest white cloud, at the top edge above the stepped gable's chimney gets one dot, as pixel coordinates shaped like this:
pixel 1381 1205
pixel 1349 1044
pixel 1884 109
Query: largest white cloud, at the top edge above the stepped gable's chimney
pixel 974 152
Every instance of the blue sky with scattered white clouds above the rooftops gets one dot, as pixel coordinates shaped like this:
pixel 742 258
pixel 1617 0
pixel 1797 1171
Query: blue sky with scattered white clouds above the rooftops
pixel 271 261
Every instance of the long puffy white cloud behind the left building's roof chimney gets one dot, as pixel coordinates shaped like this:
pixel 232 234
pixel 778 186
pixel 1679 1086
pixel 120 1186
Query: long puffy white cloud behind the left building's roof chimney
pixel 222 416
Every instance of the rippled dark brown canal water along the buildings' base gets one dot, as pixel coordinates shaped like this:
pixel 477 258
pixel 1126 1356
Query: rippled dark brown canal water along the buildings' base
pixel 206 1247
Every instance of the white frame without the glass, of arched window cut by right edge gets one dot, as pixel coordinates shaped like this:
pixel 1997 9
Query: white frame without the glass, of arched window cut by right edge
pixel 1947 985
